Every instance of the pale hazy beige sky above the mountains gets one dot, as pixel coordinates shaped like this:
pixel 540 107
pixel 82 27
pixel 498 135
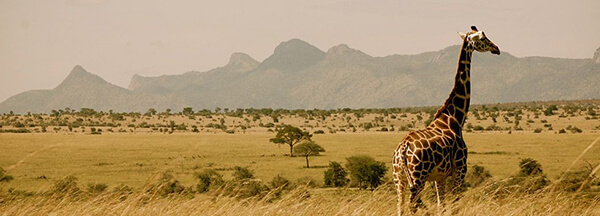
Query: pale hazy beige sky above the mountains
pixel 41 41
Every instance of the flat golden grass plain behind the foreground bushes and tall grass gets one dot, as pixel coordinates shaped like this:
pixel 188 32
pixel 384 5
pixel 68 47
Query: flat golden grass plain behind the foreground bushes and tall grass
pixel 132 159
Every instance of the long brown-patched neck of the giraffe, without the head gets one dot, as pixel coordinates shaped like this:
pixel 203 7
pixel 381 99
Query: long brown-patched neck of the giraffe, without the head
pixel 457 104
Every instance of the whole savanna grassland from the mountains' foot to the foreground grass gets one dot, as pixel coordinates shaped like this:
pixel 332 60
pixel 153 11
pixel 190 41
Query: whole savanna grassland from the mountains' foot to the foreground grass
pixel 98 163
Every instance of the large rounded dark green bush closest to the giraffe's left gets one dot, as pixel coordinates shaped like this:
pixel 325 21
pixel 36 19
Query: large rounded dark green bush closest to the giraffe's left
pixel 365 171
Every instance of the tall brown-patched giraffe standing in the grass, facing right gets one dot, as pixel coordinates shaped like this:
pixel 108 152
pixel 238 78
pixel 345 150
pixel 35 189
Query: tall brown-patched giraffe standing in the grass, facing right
pixel 439 152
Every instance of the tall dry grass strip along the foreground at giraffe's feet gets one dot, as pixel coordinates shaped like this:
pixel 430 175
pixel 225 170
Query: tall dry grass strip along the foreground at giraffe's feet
pixel 485 200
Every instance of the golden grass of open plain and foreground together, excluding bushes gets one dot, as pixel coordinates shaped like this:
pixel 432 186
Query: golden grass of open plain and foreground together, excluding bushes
pixel 134 159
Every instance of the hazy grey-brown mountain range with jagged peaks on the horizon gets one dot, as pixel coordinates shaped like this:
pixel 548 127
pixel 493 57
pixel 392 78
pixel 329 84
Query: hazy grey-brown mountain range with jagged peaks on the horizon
pixel 299 75
